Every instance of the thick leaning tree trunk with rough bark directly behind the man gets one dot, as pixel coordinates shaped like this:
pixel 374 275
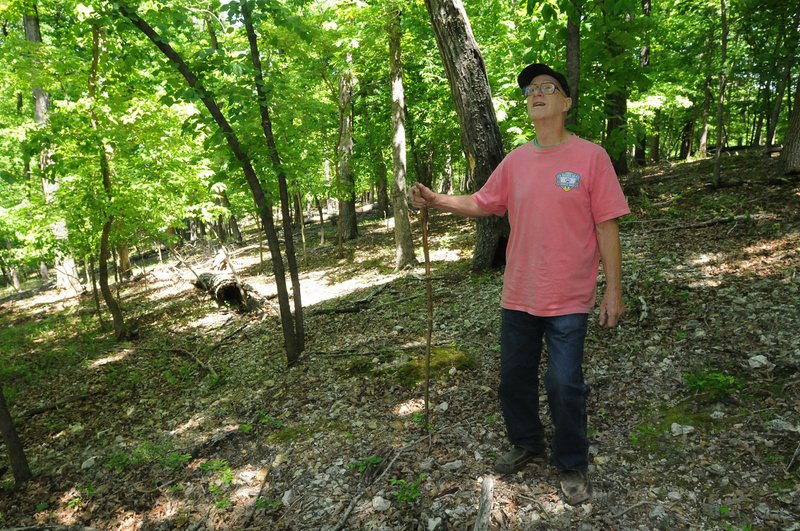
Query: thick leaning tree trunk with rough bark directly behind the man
pixel 480 134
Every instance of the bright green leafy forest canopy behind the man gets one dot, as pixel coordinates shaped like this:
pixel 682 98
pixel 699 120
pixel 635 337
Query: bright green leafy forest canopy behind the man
pixel 84 92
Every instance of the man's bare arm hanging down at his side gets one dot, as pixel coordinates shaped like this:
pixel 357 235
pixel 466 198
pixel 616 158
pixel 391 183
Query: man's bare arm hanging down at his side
pixel 611 307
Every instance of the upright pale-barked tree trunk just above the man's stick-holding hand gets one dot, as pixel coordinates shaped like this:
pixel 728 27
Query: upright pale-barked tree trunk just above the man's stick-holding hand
pixel 404 245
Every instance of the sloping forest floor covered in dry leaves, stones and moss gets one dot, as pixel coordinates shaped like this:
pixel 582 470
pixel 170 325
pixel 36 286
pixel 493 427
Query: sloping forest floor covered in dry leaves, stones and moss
pixel 694 410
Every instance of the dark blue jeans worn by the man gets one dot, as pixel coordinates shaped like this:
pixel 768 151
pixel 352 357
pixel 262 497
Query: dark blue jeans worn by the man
pixel 520 353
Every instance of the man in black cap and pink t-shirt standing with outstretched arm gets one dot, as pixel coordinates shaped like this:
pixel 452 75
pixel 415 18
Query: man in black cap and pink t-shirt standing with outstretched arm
pixel 563 199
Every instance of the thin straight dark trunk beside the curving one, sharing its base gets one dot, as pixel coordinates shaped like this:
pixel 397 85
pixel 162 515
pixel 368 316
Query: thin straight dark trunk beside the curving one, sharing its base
pixel 283 189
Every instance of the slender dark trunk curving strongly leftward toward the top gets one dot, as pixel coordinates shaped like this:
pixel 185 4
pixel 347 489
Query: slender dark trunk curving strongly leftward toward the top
pixel 262 205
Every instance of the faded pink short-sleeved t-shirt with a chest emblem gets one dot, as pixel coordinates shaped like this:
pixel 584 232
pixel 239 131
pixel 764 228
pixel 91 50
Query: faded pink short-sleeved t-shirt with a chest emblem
pixel 554 198
